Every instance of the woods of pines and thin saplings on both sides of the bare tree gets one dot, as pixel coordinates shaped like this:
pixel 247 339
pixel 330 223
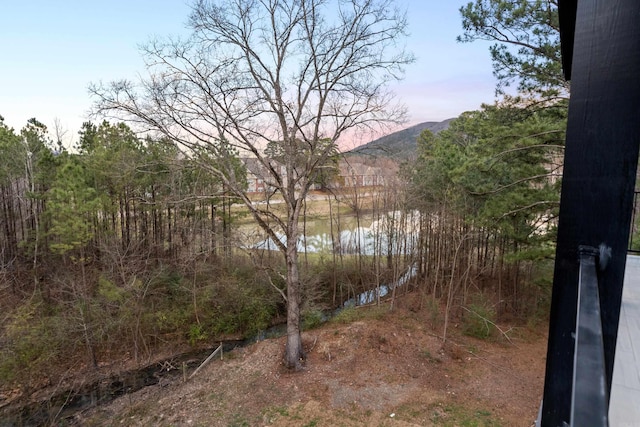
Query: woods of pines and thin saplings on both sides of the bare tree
pixel 122 246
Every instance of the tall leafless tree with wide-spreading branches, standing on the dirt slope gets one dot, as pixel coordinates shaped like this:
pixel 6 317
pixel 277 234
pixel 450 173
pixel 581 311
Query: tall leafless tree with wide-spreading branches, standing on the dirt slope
pixel 291 75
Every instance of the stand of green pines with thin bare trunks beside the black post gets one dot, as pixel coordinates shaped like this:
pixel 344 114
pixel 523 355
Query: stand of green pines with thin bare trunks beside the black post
pixel 489 189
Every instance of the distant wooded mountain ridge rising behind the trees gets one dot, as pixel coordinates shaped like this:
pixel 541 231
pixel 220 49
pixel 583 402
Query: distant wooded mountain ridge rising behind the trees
pixel 399 145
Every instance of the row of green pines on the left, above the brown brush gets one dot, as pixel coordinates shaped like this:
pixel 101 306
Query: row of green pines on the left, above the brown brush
pixel 113 190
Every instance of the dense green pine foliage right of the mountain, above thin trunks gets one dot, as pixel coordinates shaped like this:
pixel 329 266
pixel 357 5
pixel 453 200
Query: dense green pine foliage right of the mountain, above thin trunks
pixel 499 168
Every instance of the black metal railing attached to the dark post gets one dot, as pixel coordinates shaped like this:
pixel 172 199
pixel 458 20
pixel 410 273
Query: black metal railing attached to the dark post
pixel 590 395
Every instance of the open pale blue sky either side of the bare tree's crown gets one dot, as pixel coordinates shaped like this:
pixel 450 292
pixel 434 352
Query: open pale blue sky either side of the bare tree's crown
pixel 53 49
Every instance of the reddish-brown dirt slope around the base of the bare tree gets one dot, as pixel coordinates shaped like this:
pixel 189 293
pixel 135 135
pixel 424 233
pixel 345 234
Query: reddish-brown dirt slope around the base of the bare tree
pixel 383 369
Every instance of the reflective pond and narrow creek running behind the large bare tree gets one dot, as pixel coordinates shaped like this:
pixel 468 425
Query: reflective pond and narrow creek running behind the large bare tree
pixel 380 237
